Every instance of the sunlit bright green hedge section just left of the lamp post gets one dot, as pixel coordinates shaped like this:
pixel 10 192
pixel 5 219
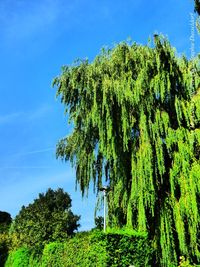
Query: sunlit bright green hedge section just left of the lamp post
pixel 85 249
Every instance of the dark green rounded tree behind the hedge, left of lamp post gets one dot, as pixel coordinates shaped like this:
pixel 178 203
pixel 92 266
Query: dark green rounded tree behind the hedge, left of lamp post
pixel 47 219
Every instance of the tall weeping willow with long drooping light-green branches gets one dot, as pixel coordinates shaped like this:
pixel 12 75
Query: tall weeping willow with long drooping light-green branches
pixel 136 116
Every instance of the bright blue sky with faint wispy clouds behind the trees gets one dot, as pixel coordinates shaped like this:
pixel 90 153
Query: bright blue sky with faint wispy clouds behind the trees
pixel 36 39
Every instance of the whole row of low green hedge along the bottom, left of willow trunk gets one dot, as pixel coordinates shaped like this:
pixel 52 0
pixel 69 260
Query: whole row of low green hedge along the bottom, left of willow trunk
pixel 91 249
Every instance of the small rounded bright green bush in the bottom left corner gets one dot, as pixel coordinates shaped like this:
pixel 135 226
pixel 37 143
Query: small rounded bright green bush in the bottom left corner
pixel 18 258
